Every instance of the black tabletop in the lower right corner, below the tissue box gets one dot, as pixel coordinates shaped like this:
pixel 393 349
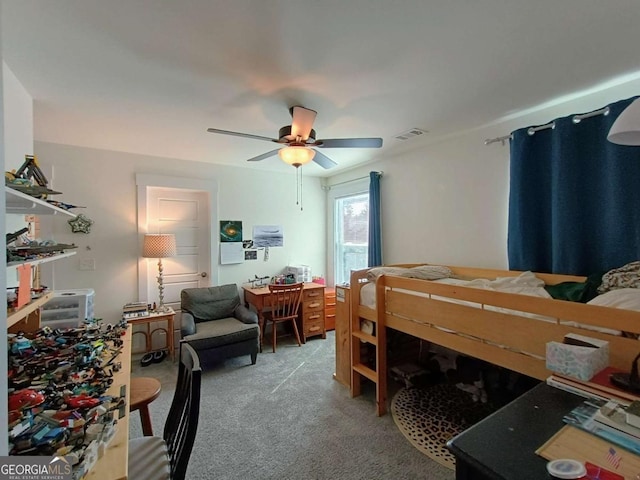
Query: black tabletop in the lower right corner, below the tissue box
pixel 503 445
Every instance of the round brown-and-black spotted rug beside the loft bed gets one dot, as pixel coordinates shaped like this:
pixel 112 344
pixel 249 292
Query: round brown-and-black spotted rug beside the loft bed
pixel 429 417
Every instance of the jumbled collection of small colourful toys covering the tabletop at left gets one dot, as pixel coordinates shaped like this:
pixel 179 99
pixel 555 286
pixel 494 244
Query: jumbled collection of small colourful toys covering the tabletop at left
pixel 58 401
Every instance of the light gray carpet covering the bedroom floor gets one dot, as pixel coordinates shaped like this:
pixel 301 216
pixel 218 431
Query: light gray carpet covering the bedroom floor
pixel 286 418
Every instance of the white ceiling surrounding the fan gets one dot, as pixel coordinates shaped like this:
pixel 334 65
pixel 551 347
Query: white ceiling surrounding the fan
pixel 150 76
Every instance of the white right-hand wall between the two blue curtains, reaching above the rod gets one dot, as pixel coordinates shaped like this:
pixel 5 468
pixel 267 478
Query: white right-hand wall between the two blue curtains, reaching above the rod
pixel 447 202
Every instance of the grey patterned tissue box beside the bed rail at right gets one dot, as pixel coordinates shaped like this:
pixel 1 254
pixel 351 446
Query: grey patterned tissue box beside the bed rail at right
pixel 578 356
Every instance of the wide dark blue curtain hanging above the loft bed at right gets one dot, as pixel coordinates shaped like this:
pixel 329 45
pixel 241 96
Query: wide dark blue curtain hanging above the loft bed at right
pixel 574 200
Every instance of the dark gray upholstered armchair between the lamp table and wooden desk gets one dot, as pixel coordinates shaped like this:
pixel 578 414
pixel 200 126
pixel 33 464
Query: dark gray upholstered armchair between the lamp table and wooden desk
pixel 217 325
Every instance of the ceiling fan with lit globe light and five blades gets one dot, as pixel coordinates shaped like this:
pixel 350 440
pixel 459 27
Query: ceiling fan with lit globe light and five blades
pixel 298 137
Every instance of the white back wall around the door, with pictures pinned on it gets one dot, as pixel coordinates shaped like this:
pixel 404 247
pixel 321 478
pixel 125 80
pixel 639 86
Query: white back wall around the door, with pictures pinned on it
pixel 104 182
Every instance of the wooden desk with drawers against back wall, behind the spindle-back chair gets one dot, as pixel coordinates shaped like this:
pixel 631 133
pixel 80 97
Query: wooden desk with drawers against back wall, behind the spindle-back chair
pixel 310 318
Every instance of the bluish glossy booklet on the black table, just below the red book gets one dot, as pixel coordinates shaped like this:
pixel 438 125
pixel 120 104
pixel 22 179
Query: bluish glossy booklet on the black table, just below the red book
pixel 584 418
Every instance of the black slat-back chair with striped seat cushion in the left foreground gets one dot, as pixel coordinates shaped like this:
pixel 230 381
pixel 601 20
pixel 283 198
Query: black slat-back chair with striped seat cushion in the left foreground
pixel 167 457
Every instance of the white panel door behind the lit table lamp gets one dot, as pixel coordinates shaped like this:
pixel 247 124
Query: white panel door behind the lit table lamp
pixel 186 214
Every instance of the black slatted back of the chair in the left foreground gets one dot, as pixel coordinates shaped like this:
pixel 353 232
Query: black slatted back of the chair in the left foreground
pixel 182 421
